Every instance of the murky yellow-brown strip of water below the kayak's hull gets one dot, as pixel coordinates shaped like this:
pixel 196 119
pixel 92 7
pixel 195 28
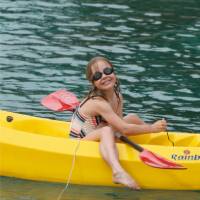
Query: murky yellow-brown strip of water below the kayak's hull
pixel 28 190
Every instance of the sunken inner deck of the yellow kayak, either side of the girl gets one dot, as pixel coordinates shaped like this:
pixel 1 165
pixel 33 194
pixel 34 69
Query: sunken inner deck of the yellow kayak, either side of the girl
pixel 57 128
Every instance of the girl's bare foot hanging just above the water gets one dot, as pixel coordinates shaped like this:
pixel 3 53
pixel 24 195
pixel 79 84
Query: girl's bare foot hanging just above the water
pixel 125 179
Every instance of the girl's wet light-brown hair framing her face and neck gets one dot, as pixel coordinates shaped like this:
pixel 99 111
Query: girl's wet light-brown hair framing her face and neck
pixel 94 91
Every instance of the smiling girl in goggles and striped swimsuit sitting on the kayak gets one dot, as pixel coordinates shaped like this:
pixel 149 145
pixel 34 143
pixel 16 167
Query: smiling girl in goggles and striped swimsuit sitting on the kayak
pixel 99 117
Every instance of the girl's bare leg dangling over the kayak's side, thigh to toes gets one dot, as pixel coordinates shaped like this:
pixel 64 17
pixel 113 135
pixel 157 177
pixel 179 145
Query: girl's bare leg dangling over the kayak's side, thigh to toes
pixel 110 154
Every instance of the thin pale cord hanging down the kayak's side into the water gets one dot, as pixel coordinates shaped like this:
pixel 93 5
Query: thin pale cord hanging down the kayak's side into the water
pixel 71 171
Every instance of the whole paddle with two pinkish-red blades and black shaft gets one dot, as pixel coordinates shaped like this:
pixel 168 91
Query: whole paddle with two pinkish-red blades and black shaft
pixel 62 100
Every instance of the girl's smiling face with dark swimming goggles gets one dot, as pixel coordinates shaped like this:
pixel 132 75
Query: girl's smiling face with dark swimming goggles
pixel 103 75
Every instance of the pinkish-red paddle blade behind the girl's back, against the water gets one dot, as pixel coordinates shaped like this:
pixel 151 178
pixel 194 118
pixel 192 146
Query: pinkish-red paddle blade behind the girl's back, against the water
pixel 60 100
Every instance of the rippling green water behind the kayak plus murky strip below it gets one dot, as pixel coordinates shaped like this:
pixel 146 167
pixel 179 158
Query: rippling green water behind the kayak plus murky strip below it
pixel 154 46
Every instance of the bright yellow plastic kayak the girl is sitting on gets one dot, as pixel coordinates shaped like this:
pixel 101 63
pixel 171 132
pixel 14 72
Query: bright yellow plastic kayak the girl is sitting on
pixel 39 149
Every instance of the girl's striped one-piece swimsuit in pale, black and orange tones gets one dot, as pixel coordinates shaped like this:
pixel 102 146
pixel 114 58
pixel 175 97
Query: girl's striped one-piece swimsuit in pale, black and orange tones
pixel 81 125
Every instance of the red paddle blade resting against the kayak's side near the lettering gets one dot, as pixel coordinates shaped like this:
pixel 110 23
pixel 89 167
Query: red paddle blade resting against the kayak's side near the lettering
pixel 157 161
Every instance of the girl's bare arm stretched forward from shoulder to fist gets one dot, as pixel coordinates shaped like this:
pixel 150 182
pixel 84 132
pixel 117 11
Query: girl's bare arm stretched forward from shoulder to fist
pixel 104 109
